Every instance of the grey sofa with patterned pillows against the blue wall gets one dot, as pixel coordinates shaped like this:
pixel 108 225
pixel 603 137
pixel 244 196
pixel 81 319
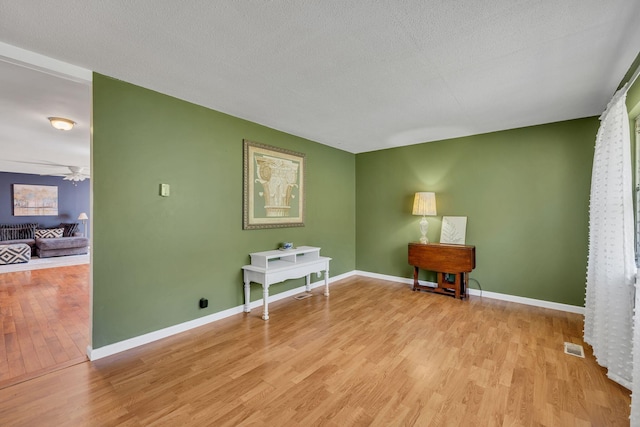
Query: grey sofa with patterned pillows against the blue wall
pixel 46 242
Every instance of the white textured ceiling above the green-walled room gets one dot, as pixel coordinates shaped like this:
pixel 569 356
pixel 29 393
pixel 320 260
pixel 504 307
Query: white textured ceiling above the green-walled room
pixel 356 75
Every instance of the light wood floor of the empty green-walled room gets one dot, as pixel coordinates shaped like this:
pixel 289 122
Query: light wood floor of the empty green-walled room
pixel 373 353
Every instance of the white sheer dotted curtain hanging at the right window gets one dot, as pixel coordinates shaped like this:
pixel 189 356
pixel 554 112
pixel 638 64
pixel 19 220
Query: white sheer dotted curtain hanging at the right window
pixel 611 269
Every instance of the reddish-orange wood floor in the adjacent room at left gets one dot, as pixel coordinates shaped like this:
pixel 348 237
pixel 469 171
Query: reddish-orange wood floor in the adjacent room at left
pixel 44 321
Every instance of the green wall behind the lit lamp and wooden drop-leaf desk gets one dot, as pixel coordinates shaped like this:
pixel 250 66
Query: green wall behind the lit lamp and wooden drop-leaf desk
pixel 525 193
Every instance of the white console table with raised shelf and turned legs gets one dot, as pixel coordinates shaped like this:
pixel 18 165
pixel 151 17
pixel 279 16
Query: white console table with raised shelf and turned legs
pixel 276 266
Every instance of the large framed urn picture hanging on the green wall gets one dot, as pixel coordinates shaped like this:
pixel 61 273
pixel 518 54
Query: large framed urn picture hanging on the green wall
pixel 273 187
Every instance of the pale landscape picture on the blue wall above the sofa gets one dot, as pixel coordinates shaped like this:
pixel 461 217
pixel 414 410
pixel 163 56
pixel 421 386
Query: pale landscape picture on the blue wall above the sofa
pixel 35 200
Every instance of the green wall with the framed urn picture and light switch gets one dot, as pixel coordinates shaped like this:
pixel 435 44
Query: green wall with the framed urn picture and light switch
pixel 155 257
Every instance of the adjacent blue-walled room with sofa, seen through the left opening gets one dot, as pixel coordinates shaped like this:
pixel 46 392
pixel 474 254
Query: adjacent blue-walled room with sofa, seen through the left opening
pixel 44 222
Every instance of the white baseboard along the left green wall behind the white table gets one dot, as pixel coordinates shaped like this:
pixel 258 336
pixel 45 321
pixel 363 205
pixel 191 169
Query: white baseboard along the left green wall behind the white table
pixel 108 350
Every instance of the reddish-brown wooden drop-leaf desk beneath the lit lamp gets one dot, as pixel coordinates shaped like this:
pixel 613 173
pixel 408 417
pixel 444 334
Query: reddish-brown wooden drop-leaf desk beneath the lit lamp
pixel 458 260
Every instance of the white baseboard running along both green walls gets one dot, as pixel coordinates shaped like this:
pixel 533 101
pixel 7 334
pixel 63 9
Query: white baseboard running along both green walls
pixel 108 350
